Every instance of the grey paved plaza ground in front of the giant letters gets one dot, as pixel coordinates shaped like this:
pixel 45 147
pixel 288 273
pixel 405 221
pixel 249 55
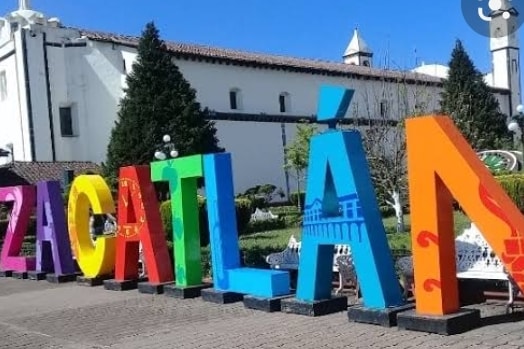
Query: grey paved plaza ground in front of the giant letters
pixel 38 314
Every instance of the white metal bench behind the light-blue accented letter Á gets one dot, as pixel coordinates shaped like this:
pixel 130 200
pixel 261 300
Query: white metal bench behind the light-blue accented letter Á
pixel 342 262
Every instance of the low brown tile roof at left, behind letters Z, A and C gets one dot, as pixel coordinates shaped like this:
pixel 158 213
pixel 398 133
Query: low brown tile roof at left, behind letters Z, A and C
pixel 23 173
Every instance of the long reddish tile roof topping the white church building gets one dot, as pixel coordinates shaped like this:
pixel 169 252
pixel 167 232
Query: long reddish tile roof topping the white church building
pixel 213 54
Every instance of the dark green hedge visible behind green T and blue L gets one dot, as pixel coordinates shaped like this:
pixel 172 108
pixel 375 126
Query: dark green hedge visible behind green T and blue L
pixel 243 213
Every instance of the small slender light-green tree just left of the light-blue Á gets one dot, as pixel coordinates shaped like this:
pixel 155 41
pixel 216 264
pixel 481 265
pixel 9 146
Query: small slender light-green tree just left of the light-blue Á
pixel 297 153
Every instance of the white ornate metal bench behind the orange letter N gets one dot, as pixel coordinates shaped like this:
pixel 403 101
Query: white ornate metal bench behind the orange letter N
pixel 475 260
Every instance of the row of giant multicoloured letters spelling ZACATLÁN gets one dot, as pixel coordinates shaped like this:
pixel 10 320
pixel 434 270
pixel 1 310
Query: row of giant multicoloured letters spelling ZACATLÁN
pixel 340 208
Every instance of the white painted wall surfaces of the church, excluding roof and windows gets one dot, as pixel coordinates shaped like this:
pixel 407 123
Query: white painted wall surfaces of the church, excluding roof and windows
pixel 91 79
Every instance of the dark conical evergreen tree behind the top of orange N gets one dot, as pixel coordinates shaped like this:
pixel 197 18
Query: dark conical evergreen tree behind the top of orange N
pixel 467 99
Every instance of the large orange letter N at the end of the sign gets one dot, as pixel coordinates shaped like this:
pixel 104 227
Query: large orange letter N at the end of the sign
pixel 442 165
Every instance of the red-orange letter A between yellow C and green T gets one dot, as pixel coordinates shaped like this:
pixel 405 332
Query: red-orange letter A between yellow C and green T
pixel 139 222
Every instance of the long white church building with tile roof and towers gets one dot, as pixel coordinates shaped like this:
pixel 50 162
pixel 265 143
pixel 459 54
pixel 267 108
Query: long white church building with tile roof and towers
pixel 60 89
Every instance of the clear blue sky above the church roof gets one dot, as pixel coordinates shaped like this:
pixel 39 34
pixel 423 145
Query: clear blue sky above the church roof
pixel 407 31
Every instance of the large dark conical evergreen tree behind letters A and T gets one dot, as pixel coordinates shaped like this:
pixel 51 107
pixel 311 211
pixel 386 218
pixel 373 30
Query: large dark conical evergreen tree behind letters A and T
pixel 158 101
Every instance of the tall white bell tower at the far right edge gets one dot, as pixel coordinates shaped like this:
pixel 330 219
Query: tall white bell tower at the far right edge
pixel 505 50
